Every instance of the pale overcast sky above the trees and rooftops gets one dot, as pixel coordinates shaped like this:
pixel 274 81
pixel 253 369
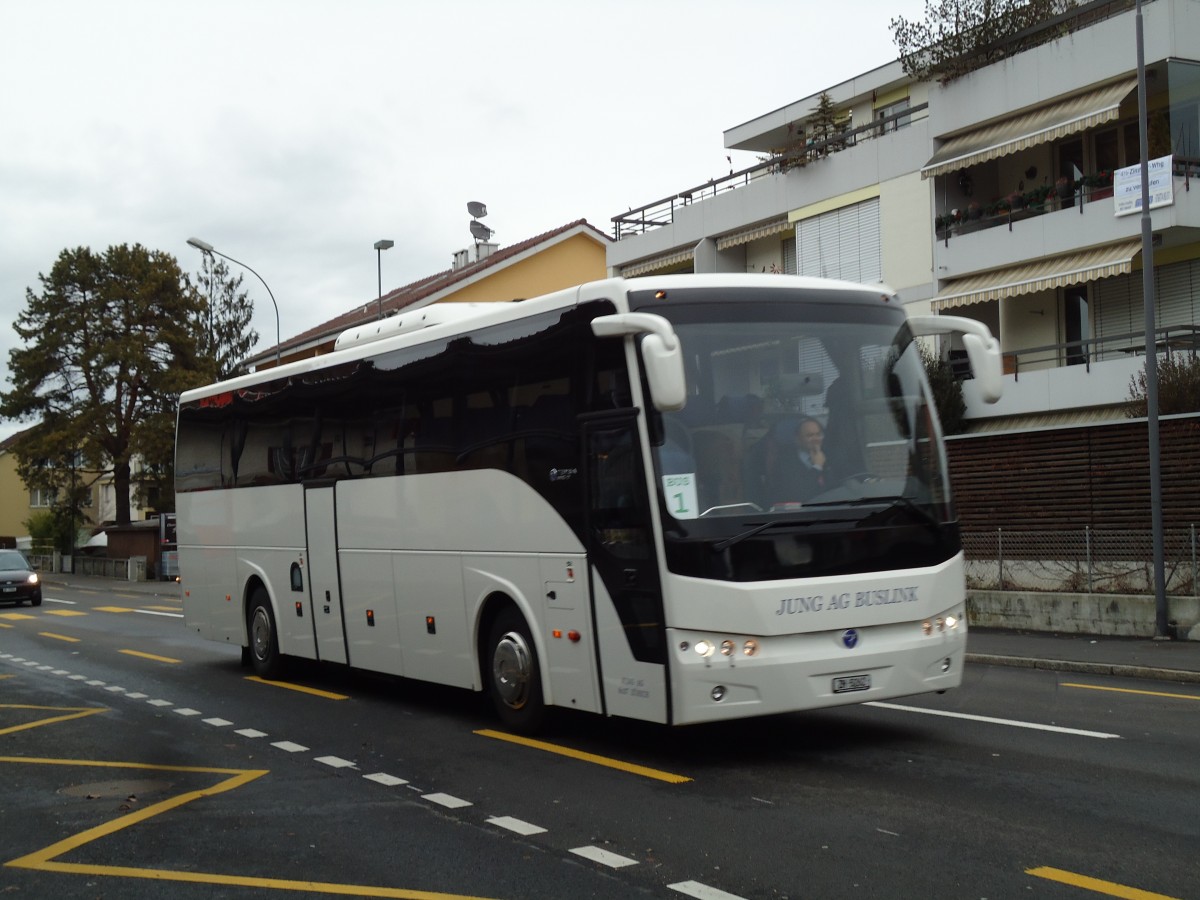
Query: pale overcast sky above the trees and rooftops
pixel 295 135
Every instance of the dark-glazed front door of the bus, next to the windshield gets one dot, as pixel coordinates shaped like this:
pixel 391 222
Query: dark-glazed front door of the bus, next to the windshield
pixel 627 593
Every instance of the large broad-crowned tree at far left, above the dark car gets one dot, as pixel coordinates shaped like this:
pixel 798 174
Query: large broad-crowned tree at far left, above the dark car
pixel 106 352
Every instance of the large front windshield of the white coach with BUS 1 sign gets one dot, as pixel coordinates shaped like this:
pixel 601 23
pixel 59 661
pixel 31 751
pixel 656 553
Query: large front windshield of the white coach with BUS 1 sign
pixel 803 421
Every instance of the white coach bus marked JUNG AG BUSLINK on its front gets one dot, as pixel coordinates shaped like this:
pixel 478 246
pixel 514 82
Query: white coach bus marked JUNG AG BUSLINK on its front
pixel 590 501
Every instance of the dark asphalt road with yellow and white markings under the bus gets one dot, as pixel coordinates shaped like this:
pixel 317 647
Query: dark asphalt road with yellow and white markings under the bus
pixel 136 761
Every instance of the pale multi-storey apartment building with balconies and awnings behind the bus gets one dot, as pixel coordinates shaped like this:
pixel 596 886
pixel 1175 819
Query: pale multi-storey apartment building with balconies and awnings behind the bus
pixel 998 196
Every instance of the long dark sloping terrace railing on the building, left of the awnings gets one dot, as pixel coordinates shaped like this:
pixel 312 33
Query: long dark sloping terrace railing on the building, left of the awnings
pixel 662 213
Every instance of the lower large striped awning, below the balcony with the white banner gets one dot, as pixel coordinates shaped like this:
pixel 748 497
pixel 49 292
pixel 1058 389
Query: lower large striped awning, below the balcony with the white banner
pixel 1041 275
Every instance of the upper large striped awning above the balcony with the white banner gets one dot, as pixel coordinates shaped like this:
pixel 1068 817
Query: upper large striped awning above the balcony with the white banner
pixel 1030 129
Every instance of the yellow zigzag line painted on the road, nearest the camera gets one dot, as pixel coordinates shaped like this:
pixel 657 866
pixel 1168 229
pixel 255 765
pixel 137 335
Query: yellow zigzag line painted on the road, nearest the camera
pixel 46 860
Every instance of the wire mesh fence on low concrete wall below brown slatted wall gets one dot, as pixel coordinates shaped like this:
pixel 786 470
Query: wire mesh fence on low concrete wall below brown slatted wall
pixel 1088 561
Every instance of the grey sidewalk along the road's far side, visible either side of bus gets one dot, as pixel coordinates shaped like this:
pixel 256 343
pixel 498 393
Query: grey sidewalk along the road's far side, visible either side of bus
pixel 1126 657
